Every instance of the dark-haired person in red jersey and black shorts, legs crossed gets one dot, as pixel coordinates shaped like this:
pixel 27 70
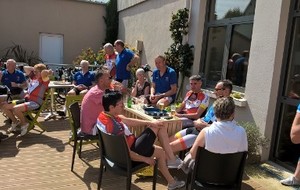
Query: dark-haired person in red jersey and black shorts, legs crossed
pixel 141 148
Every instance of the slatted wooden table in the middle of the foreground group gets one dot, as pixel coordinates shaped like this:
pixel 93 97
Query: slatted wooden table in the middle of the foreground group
pixel 174 125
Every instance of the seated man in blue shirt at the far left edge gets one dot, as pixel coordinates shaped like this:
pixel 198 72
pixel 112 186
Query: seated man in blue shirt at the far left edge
pixel 13 79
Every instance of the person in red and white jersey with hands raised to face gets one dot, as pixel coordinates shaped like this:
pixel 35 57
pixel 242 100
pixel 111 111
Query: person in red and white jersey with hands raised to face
pixel 38 85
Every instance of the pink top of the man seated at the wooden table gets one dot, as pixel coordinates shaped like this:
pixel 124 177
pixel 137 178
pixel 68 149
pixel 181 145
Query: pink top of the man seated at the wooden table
pixel 90 109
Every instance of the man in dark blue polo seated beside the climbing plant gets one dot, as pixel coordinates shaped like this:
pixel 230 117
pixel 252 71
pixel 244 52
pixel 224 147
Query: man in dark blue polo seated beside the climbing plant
pixel 164 83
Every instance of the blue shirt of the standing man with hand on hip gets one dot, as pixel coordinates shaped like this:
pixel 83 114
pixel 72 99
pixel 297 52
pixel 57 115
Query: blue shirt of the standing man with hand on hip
pixel 122 61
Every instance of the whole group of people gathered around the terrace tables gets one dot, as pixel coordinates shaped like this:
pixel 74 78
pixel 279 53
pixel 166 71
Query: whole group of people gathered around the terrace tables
pixel 102 108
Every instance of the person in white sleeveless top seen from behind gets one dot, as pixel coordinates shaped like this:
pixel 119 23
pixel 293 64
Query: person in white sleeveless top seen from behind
pixel 223 136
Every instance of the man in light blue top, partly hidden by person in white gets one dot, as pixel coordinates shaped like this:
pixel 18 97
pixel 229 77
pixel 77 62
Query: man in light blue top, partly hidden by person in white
pixel 185 138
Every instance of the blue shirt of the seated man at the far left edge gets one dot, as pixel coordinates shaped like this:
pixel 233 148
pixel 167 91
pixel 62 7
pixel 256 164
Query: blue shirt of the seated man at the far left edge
pixel 17 77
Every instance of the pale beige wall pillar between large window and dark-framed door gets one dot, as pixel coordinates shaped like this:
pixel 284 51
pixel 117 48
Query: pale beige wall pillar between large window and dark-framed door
pixel 265 62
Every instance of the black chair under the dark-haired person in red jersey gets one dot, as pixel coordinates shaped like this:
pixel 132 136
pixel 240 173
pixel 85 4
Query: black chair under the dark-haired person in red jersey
pixel 115 157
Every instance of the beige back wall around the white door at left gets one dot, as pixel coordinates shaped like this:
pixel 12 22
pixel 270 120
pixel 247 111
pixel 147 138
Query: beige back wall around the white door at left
pixel 80 23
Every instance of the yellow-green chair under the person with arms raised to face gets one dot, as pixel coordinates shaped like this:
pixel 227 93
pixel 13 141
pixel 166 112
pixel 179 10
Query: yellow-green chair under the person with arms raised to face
pixel 33 115
